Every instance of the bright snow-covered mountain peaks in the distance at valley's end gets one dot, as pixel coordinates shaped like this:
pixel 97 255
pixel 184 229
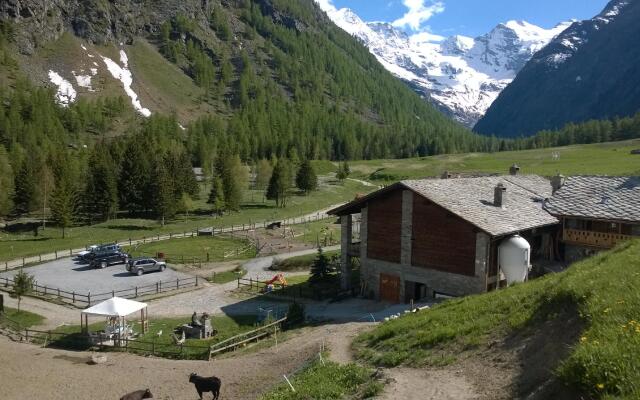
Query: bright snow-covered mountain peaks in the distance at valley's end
pixel 459 74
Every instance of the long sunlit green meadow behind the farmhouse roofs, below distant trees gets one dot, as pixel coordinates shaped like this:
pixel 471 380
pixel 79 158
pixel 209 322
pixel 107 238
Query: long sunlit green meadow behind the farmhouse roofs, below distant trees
pixel 596 159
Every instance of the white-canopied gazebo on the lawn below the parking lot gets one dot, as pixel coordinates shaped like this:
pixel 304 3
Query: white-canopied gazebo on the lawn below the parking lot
pixel 116 307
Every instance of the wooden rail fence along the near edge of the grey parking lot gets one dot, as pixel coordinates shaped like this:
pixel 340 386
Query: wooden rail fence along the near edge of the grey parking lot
pixel 92 298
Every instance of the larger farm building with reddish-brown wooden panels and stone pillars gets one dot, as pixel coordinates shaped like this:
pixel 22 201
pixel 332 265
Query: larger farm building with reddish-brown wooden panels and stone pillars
pixel 424 238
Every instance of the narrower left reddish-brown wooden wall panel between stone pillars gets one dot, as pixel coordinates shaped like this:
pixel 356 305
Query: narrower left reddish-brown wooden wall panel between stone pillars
pixel 384 225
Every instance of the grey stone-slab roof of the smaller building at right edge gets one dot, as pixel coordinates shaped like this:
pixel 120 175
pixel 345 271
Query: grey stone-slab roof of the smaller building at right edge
pixel 598 197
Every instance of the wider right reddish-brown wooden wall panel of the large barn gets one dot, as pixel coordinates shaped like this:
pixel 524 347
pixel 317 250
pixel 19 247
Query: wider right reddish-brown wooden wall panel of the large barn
pixel 441 240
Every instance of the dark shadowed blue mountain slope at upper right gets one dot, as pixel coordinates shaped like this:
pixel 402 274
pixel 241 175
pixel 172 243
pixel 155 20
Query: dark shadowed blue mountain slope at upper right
pixel 589 71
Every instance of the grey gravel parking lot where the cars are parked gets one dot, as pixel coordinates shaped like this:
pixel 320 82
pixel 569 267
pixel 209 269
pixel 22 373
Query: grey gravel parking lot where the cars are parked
pixel 70 275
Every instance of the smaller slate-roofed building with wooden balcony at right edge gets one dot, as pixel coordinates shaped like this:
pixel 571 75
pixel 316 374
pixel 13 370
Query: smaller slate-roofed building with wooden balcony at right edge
pixel 596 212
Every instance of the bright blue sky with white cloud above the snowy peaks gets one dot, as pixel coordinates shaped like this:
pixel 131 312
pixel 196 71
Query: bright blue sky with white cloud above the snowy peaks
pixel 469 17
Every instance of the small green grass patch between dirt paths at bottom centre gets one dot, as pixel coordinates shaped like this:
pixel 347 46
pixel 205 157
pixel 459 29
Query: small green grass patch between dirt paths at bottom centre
pixel 328 381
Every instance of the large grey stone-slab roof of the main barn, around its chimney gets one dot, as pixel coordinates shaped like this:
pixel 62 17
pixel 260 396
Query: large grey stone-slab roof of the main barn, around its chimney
pixel 472 200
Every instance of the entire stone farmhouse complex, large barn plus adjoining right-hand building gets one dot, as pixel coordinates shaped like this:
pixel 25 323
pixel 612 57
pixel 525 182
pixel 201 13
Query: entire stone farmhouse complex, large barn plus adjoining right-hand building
pixel 427 238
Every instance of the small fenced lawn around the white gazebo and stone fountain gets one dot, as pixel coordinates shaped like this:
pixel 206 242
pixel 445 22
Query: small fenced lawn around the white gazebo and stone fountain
pixel 226 326
